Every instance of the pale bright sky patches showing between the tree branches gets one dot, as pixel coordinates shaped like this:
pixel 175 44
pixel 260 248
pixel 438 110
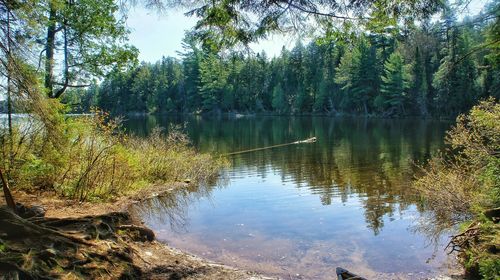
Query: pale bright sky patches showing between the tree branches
pixel 161 35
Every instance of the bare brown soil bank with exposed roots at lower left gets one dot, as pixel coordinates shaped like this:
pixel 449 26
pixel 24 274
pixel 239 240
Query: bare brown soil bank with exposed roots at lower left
pixel 96 241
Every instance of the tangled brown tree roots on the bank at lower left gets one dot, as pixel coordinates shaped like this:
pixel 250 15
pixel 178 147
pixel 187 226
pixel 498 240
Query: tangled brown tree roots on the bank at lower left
pixel 51 248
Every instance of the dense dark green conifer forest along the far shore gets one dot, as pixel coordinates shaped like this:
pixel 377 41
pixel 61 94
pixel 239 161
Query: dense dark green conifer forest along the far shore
pixel 434 68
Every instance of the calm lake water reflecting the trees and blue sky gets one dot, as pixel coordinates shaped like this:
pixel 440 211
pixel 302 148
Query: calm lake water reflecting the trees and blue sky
pixel 300 211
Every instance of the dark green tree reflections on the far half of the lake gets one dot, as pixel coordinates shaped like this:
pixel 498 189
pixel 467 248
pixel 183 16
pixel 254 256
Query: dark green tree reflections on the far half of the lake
pixel 369 159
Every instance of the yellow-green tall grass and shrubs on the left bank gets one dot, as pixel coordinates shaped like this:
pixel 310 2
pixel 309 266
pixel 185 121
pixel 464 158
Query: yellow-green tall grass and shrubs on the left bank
pixel 92 159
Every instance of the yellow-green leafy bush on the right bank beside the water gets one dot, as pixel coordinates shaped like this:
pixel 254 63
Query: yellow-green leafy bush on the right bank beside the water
pixel 460 186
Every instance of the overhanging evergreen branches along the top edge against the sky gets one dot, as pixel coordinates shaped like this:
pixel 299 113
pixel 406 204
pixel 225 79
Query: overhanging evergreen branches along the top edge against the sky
pixel 225 23
